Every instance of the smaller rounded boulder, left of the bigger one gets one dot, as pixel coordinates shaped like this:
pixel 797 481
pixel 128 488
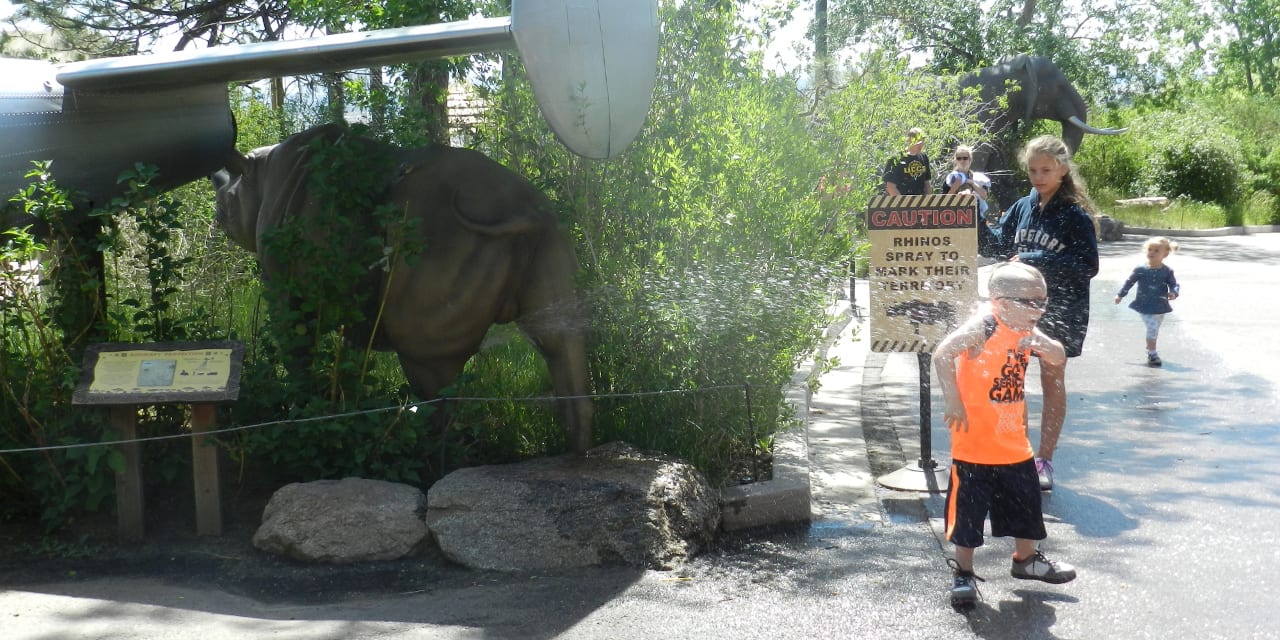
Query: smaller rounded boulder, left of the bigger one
pixel 344 522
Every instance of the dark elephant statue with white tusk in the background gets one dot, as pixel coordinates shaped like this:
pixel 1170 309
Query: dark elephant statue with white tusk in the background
pixel 1037 90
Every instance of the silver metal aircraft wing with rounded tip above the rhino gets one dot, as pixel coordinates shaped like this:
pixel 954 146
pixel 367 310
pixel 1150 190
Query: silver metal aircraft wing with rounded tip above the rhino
pixel 592 65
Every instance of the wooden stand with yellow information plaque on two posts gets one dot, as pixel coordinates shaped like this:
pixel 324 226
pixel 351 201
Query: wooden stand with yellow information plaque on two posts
pixel 125 377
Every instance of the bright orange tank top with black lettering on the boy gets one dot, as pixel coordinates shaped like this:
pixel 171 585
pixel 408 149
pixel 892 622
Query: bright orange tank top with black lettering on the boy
pixel 993 388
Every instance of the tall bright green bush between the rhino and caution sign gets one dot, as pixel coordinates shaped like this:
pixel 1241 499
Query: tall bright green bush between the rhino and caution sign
pixel 706 250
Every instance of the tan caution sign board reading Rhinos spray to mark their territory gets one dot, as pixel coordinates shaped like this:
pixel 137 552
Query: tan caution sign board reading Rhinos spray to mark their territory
pixel 924 268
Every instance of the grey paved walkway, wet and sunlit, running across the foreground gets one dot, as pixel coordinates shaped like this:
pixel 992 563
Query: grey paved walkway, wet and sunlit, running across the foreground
pixel 1167 502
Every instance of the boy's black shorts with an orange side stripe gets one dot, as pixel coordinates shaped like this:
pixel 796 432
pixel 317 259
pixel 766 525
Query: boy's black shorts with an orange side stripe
pixel 1009 493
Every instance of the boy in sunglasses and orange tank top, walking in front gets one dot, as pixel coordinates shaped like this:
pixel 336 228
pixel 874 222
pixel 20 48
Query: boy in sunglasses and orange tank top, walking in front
pixel 982 371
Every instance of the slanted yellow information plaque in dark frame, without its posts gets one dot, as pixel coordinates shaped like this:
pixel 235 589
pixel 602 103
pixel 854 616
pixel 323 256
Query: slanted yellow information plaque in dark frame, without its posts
pixel 158 373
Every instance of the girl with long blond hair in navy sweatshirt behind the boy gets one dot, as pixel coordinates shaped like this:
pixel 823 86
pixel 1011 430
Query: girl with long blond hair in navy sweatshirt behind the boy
pixel 1052 230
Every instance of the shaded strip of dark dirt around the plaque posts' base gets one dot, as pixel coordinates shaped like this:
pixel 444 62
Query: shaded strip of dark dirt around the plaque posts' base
pixel 172 552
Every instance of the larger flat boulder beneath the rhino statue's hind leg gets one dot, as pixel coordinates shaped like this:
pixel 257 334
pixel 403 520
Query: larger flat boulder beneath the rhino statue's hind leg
pixel 614 506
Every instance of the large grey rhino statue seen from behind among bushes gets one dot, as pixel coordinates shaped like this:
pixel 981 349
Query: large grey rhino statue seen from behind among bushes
pixel 492 255
